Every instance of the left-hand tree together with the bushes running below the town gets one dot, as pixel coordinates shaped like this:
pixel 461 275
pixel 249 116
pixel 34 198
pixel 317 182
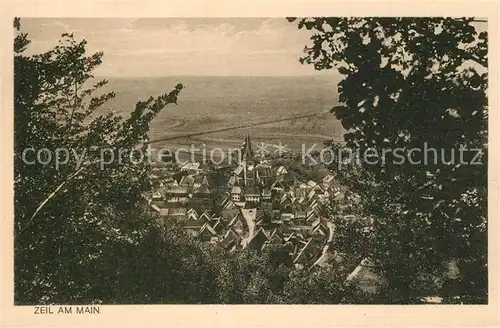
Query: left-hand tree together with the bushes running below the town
pixel 83 234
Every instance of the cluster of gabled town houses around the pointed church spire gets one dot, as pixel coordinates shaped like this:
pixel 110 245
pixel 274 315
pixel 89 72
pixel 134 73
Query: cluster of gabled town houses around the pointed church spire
pixel 254 204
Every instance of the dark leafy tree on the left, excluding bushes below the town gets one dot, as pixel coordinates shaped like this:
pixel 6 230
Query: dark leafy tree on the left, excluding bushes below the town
pixel 71 220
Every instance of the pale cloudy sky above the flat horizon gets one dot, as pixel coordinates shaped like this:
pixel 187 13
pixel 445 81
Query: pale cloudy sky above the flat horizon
pixel 173 46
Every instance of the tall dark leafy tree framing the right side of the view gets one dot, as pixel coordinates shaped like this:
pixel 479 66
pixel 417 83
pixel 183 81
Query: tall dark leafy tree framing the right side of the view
pixel 412 84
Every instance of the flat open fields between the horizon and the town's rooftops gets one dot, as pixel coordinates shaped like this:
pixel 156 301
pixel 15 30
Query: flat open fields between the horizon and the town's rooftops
pixel 212 103
